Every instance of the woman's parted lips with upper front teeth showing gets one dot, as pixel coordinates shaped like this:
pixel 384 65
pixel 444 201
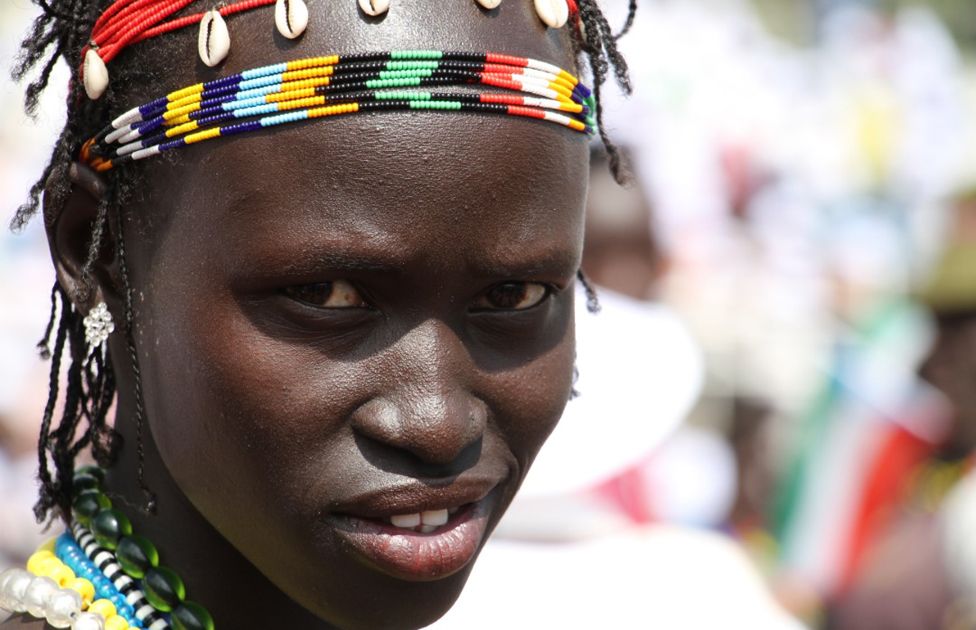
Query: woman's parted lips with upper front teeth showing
pixel 415 532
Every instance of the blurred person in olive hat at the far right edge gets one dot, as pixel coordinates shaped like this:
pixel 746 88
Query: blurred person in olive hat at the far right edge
pixel 916 573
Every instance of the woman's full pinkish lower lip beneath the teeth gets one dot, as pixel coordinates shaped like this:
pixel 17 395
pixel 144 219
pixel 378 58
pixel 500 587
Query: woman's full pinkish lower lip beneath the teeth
pixel 414 556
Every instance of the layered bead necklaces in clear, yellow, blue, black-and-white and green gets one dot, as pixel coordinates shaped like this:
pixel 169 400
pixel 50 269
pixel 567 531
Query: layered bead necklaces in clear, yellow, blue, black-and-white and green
pixel 100 575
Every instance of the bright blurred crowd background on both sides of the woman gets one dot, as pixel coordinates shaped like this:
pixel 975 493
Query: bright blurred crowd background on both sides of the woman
pixel 782 381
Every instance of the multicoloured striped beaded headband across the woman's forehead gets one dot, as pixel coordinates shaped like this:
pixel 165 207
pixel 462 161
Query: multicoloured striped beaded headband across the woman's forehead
pixel 335 85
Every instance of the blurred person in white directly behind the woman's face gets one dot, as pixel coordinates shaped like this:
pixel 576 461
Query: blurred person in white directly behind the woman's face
pixel 609 540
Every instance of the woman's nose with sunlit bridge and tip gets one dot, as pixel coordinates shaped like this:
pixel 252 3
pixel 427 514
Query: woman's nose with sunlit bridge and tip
pixel 430 419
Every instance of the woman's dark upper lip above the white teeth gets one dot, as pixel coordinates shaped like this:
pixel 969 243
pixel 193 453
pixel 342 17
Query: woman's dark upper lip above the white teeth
pixel 411 496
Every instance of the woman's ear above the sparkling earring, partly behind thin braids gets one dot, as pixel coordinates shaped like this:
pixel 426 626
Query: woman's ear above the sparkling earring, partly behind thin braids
pixel 69 234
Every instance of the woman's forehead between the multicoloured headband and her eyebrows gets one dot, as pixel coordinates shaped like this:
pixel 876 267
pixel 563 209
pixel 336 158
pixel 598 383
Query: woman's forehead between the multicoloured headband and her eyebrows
pixel 394 186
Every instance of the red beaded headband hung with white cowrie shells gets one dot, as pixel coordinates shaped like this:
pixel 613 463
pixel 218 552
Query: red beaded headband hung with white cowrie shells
pixel 127 22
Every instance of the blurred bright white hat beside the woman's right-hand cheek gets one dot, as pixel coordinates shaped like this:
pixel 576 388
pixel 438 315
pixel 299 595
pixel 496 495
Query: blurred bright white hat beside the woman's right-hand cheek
pixel 639 374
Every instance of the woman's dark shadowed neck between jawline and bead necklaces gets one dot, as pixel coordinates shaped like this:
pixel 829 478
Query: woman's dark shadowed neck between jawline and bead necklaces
pixel 216 575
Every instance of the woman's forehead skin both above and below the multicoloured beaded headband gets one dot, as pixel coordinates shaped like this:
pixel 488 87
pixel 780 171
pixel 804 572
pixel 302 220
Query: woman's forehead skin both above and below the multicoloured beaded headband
pixel 444 175
